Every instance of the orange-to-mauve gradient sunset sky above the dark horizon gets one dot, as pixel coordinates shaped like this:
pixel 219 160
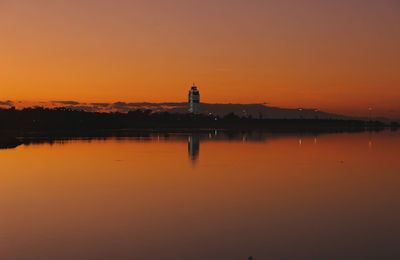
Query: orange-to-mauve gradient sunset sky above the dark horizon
pixel 342 56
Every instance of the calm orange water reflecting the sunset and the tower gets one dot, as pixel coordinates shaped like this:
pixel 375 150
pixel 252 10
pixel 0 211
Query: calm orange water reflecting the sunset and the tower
pixel 207 196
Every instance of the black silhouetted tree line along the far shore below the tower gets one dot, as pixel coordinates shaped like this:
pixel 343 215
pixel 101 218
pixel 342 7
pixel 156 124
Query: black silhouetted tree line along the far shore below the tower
pixel 62 120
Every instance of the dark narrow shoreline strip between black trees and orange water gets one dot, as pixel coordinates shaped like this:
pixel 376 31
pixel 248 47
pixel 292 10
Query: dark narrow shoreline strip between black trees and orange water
pixel 10 140
